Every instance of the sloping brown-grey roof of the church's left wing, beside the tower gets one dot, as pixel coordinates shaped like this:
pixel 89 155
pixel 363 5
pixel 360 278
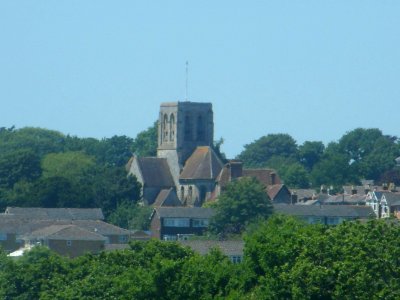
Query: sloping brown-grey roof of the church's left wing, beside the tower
pixel 155 172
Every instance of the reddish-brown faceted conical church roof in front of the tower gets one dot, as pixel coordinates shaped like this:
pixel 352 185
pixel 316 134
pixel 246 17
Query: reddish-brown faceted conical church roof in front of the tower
pixel 202 164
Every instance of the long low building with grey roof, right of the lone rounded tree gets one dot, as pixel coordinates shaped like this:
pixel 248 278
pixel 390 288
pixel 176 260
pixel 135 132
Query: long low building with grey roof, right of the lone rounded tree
pixel 326 214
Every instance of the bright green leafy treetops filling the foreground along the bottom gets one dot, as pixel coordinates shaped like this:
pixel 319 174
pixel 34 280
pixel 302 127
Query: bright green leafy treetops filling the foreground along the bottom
pixel 284 258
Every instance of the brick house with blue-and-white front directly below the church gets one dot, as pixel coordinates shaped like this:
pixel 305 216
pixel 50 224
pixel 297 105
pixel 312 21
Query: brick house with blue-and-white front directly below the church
pixel 173 223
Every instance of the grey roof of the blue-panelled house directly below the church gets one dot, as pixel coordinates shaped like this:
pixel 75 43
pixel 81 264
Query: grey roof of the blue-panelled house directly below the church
pixel 184 212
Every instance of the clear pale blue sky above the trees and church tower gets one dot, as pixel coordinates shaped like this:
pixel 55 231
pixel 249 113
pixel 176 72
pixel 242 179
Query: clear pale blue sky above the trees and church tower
pixel 312 69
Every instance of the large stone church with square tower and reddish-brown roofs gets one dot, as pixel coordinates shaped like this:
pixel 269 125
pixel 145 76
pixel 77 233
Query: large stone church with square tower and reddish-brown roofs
pixel 187 171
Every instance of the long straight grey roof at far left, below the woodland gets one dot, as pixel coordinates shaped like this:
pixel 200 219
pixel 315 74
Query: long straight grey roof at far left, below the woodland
pixel 56 213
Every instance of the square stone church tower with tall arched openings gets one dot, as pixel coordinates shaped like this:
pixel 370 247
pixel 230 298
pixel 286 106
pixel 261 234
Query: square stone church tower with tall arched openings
pixel 182 127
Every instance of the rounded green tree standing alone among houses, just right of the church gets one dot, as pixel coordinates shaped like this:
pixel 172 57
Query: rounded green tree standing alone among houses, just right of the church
pixel 243 202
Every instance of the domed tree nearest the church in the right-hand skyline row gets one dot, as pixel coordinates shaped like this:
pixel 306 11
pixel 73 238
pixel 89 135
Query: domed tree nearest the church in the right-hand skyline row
pixel 258 153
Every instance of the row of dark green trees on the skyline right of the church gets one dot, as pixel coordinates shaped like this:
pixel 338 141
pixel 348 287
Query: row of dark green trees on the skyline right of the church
pixel 359 154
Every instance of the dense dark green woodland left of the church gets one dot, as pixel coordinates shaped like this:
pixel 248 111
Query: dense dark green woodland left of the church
pixel 45 168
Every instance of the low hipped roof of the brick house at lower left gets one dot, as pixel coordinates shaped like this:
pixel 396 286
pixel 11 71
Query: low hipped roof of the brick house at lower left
pixel 65 232
